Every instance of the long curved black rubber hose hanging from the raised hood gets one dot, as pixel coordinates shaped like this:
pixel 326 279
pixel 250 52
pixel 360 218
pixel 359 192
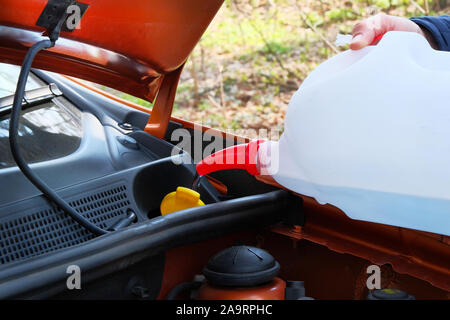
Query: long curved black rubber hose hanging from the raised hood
pixel 15 148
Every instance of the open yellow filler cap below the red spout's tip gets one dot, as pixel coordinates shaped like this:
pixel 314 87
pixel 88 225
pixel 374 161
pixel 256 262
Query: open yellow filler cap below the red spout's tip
pixel 183 198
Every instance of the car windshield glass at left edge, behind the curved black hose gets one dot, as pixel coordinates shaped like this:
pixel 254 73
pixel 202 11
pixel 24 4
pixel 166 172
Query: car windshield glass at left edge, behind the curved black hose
pixel 49 130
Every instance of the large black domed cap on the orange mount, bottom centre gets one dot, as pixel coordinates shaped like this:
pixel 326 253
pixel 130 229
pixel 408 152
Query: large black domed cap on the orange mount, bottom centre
pixel 241 266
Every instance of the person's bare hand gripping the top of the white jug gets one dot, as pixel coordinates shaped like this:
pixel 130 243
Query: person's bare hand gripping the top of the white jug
pixel 365 31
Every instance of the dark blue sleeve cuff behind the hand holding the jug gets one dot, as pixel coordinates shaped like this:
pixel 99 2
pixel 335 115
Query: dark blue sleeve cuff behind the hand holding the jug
pixel 439 28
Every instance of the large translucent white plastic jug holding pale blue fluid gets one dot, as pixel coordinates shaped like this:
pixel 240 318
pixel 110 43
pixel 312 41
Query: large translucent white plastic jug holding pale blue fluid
pixel 369 132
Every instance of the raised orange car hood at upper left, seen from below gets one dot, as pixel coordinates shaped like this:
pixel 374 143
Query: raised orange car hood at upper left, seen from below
pixel 127 45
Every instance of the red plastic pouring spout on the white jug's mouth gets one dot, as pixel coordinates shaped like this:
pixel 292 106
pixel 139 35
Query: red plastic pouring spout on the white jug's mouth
pixel 242 156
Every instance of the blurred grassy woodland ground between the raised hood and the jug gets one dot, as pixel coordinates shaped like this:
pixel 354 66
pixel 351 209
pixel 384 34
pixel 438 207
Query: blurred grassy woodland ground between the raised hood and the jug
pixel 256 53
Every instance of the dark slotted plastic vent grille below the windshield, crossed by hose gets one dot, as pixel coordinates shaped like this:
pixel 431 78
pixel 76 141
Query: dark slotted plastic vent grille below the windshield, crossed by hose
pixel 39 232
